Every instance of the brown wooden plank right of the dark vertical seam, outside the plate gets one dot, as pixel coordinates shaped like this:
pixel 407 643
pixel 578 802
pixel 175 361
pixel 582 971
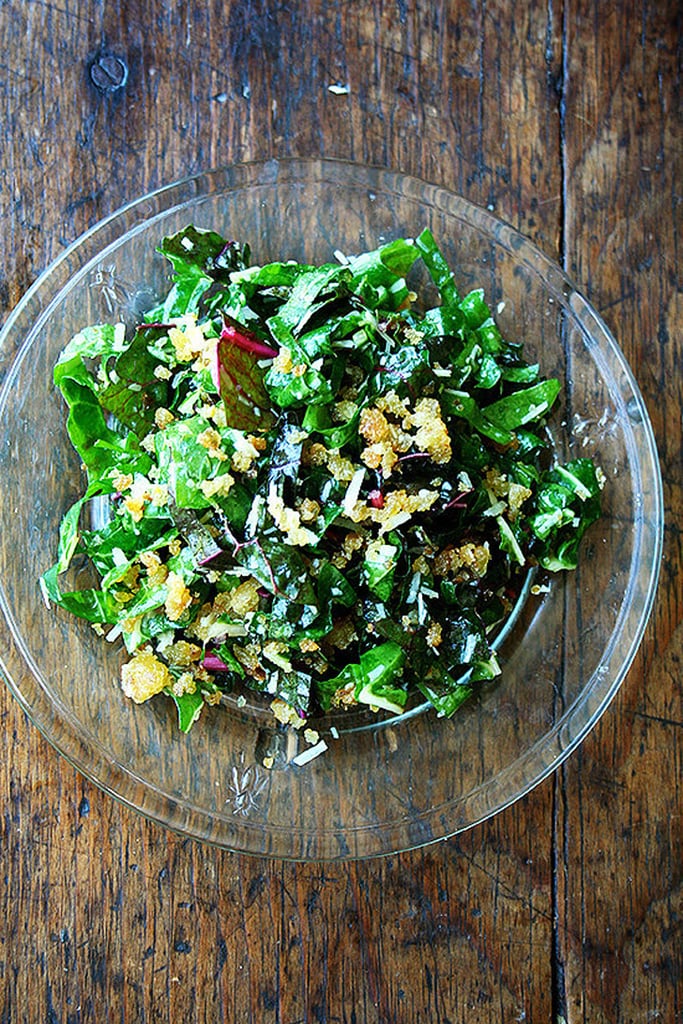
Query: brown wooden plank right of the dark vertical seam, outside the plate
pixel 619 826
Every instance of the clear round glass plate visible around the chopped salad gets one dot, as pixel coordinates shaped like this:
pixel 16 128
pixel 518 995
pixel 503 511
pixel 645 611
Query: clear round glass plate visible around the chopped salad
pixel 391 787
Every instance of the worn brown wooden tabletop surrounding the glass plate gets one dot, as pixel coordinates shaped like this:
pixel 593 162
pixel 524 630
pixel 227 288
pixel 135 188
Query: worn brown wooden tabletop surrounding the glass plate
pixel 563 118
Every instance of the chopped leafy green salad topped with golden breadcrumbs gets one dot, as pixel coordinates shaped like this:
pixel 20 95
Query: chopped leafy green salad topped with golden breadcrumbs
pixel 314 487
